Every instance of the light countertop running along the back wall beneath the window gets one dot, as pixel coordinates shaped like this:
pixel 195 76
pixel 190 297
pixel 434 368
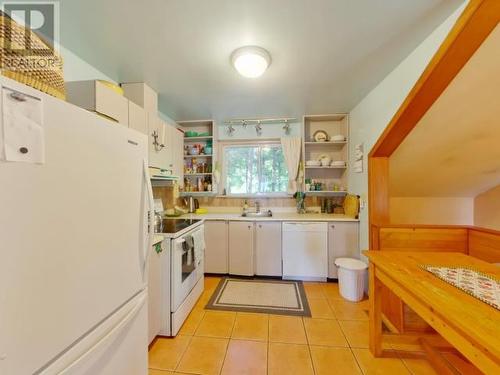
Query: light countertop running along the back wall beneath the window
pixel 277 216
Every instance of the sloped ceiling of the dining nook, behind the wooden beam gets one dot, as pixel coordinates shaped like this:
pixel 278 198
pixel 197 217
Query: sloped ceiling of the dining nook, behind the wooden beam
pixel 454 150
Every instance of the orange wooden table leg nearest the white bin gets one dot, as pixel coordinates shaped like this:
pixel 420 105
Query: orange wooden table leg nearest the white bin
pixel 375 313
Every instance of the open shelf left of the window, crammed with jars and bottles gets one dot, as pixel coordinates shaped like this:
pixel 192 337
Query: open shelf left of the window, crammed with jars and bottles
pixel 199 157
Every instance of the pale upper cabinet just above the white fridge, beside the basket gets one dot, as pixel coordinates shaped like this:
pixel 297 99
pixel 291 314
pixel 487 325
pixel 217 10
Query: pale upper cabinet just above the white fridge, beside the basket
pixel 96 96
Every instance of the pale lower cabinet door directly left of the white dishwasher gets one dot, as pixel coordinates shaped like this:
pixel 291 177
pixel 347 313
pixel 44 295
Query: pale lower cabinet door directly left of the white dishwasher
pixel 268 249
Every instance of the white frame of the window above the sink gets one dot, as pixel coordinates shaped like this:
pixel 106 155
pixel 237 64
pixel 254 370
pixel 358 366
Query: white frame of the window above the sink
pixel 248 143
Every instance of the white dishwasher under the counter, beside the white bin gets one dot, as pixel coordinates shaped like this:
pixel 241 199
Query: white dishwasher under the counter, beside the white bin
pixel 305 251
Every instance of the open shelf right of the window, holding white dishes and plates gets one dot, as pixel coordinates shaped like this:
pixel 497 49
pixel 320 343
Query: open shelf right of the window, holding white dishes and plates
pixel 325 154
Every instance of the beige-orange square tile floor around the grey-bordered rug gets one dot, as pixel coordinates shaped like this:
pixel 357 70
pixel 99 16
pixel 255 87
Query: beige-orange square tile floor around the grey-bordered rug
pixel 333 341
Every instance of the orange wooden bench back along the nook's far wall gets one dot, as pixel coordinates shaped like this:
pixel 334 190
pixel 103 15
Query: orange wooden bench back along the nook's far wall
pixel 424 239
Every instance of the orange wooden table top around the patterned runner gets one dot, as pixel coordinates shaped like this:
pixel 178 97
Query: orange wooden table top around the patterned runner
pixel 476 320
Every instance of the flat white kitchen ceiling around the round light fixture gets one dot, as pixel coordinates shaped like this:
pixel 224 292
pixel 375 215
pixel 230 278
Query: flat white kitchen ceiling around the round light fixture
pixel 327 54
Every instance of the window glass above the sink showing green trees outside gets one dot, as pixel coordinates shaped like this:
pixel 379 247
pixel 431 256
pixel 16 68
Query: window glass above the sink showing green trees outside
pixel 255 169
